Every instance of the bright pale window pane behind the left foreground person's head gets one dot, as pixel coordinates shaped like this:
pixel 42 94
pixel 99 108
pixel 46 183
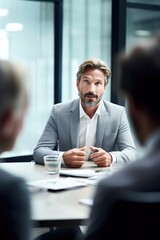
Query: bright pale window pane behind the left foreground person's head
pixel 32 44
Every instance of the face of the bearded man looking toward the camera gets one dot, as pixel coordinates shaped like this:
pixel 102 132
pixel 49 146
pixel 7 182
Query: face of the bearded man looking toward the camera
pixel 91 87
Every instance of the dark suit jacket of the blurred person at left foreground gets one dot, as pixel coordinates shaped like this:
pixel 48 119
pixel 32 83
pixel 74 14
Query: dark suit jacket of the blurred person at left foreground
pixel 14 208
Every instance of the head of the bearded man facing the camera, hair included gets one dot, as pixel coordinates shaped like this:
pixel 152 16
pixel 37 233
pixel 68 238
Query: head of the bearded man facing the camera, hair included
pixel 92 78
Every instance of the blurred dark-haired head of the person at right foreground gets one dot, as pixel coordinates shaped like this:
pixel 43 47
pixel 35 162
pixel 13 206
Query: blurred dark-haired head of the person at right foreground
pixel 139 78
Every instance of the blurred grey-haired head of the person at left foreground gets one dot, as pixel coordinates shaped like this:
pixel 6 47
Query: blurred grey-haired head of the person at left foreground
pixel 13 102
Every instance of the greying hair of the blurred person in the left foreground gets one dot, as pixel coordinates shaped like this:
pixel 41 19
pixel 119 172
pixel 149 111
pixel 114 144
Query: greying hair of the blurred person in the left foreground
pixel 12 87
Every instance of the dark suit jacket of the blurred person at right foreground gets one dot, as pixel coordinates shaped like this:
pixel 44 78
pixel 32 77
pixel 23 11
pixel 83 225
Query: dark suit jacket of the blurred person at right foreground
pixel 141 175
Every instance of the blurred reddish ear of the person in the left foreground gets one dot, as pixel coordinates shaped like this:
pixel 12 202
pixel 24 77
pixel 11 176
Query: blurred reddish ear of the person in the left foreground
pixel 7 123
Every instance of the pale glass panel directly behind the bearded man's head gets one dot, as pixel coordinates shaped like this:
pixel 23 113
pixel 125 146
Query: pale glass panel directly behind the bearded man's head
pixel 86 33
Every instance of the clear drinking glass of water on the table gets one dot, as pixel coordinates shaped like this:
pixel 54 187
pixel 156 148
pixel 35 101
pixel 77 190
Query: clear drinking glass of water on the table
pixel 52 164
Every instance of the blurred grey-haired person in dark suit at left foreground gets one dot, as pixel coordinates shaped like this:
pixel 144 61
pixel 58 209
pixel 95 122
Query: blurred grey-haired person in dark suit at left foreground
pixel 14 196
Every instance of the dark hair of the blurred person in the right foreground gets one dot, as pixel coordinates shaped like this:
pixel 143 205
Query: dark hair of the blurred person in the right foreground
pixel 139 75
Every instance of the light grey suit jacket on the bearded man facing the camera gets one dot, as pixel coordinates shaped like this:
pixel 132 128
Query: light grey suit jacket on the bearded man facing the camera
pixel 113 131
